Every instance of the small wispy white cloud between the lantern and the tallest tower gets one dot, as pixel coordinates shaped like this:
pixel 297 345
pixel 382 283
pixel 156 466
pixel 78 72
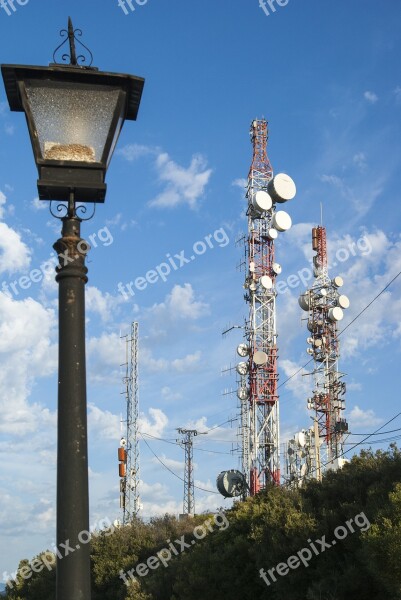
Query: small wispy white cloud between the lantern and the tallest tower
pixel 184 185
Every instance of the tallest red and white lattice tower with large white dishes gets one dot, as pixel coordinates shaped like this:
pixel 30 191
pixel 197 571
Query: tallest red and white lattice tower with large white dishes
pixel 258 391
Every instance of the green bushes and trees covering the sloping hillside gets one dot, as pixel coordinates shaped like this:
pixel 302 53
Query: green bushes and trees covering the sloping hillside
pixel 359 508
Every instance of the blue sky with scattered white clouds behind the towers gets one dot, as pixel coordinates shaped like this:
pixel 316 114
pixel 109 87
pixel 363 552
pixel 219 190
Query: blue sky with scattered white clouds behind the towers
pixel 326 76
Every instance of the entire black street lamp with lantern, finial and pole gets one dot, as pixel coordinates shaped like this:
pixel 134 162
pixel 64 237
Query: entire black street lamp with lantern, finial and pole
pixel 74 115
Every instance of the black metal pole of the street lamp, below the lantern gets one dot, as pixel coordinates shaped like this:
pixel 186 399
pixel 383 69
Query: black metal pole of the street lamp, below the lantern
pixel 73 567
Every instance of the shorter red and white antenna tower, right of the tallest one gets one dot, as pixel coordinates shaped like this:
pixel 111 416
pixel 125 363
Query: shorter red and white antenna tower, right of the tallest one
pixel 325 304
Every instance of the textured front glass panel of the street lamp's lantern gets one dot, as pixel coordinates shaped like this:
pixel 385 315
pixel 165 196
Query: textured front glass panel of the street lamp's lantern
pixel 72 123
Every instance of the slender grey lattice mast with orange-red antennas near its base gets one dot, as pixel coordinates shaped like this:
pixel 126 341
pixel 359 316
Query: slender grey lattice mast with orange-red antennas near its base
pixel 129 450
